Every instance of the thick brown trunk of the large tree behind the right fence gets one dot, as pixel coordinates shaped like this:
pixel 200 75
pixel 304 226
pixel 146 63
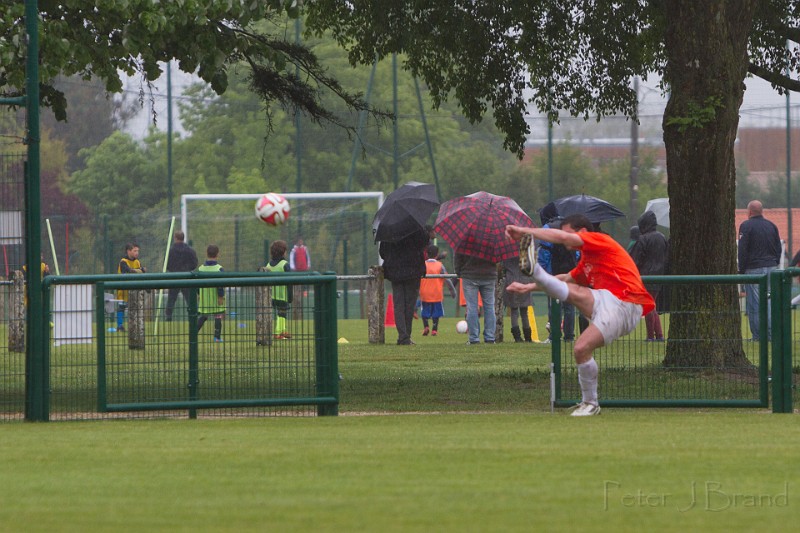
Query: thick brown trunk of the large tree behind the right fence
pixel 706 46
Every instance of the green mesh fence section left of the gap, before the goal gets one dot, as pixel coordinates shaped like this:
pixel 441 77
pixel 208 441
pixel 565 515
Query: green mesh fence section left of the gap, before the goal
pixel 90 369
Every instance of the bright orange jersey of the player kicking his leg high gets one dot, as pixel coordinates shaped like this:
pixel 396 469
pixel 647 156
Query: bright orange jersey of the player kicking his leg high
pixel 606 265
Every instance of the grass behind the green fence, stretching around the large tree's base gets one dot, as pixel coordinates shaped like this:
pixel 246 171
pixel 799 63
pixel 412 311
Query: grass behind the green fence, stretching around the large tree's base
pixel 438 374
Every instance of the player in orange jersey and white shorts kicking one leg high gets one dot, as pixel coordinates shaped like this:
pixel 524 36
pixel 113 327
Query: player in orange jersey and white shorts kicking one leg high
pixel 605 286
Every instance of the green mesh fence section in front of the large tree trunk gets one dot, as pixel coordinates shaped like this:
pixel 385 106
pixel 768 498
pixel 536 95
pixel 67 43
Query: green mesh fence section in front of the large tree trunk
pixel 677 372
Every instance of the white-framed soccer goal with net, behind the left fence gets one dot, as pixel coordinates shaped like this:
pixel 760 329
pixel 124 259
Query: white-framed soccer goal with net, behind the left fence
pixel 335 227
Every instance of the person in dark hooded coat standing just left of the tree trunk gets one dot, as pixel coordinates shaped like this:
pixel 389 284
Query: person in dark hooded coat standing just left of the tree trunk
pixel 650 252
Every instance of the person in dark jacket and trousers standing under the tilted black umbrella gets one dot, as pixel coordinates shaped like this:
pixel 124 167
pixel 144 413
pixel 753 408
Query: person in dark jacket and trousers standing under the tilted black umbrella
pixel 404 266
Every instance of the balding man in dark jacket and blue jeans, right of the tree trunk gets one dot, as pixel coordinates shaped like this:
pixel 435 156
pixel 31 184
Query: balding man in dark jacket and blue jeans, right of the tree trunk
pixel 759 253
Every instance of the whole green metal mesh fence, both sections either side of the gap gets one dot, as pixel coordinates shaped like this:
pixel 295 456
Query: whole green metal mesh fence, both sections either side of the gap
pixel 175 369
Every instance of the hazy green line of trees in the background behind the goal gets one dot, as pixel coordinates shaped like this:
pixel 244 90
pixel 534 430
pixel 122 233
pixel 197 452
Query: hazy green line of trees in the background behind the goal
pixel 97 173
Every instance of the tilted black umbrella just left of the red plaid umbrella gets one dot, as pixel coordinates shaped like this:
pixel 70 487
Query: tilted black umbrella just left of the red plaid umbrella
pixel 404 211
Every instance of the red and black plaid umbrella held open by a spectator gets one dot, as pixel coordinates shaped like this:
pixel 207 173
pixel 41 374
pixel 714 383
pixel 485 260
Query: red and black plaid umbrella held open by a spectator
pixel 475 225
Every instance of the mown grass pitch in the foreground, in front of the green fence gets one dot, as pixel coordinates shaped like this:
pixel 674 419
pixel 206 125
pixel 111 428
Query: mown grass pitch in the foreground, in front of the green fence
pixel 627 470
